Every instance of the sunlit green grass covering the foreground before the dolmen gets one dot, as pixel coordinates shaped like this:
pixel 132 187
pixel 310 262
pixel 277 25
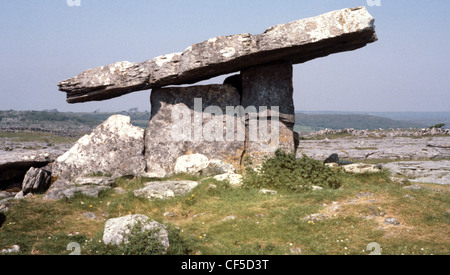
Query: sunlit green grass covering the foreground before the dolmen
pixel 262 224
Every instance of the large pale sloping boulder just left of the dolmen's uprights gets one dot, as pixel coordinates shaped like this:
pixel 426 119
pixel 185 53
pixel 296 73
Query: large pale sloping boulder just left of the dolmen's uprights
pixel 115 147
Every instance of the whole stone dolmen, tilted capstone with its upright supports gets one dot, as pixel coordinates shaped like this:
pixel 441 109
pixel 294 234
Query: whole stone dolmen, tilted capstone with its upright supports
pixel 250 115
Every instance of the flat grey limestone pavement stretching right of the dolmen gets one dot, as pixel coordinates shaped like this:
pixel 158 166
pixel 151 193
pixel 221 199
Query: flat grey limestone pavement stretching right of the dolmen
pixel 420 158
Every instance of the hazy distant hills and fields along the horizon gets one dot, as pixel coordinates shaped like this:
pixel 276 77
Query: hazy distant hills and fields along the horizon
pixel 305 121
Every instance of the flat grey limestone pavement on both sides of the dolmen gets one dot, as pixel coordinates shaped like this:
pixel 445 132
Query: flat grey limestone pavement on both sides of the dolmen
pixel 420 156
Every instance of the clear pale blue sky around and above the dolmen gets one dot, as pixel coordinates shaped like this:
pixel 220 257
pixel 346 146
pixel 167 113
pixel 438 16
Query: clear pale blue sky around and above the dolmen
pixel 46 41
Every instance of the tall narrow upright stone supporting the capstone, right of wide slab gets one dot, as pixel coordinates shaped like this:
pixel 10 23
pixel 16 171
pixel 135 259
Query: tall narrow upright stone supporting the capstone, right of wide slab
pixel 270 86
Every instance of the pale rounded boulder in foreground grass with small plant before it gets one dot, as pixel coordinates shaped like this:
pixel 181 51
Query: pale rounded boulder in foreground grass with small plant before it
pixel 117 230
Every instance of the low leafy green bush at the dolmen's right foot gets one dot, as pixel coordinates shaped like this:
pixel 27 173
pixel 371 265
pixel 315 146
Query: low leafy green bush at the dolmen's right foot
pixel 285 171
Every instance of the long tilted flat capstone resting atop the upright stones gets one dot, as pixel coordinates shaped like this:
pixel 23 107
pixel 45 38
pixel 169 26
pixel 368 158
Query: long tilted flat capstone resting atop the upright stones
pixel 296 42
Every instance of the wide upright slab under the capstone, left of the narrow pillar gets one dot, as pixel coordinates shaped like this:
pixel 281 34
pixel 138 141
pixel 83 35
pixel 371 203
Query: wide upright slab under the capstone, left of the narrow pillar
pixel 193 120
